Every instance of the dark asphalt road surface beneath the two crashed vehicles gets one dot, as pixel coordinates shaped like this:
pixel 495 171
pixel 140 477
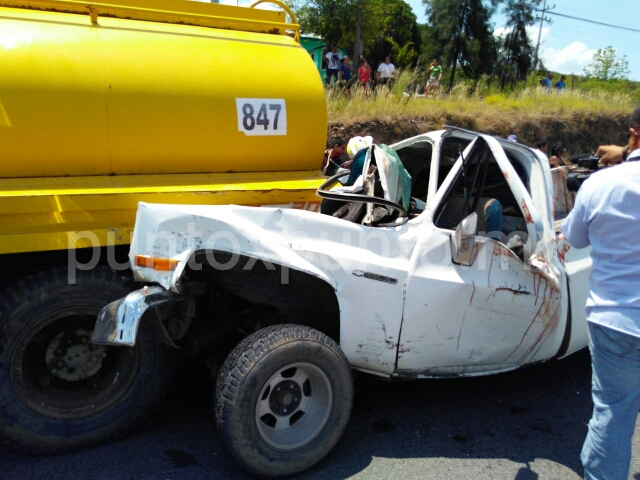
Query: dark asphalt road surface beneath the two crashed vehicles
pixel 524 425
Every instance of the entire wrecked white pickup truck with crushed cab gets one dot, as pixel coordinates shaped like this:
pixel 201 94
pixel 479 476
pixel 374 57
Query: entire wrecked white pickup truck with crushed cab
pixel 296 300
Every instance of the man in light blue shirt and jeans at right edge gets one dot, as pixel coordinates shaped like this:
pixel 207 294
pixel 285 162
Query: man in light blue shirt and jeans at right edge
pixel 606 217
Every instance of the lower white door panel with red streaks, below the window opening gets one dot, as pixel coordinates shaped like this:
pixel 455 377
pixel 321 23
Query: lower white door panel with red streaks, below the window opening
pixel 495 315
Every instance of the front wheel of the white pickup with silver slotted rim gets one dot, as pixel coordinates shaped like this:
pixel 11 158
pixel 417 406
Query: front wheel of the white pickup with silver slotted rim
pixel 283 399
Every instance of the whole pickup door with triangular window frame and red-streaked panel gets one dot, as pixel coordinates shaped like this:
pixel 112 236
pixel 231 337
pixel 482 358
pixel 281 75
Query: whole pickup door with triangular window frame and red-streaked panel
pixel 494 315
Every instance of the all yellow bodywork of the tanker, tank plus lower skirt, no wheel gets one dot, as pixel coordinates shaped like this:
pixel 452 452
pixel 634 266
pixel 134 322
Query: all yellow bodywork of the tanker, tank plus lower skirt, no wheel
pixel 106 105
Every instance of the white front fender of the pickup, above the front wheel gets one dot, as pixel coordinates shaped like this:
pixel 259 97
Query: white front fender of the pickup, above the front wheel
pixel 354 259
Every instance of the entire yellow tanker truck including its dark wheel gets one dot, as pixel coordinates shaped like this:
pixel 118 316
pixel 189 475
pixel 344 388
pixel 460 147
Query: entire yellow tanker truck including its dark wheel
pixel 103 105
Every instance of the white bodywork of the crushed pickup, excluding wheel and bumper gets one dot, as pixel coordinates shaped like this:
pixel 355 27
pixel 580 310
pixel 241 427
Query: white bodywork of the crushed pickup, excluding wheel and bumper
pixel 405 308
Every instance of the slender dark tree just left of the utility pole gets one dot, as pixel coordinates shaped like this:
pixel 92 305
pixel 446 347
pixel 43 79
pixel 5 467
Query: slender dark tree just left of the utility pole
pixel 517 51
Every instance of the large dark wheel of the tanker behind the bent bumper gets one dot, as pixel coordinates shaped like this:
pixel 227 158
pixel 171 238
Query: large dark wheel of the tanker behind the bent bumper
pixel 58 391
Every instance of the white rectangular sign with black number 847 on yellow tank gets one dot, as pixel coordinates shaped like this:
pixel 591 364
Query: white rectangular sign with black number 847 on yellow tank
pixel 262 116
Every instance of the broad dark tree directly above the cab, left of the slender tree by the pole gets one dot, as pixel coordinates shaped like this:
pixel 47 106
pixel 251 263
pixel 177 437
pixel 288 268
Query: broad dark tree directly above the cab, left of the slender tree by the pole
pixel 463 35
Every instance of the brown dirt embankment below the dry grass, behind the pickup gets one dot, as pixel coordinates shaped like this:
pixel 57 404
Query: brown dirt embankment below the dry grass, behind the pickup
pixel 579 134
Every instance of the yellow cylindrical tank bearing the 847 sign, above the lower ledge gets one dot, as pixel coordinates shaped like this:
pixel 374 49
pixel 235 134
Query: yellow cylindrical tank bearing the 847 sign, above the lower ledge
pixel 154 87
